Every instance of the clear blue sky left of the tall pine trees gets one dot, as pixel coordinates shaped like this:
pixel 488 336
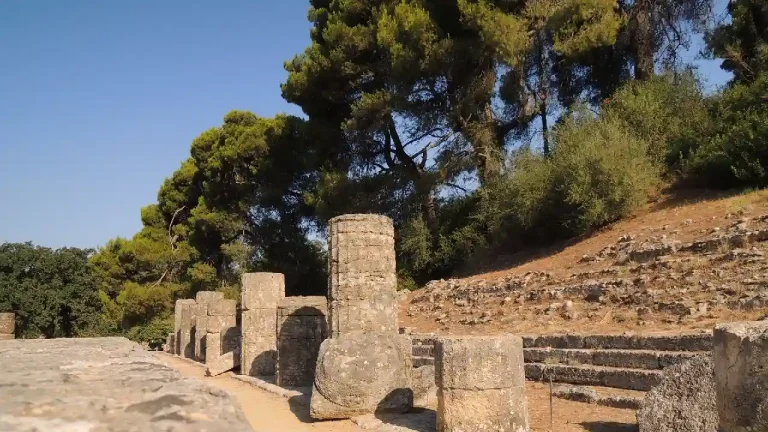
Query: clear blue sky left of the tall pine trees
pixel 100 100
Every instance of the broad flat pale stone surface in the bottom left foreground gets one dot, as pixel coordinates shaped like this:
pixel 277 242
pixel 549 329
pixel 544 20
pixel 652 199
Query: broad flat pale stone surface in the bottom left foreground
pixel 105 385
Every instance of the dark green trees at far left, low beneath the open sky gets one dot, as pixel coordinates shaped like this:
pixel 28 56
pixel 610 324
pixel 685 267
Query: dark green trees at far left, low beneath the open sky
pixel 52 291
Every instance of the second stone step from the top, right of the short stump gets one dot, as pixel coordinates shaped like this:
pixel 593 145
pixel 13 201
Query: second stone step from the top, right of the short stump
pixel 637 359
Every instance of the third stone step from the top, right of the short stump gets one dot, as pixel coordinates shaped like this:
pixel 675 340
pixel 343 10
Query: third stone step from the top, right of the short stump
pixel 603 376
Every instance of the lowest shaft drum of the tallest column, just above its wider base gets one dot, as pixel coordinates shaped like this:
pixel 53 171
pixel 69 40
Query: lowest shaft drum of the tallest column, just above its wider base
pixel 363 315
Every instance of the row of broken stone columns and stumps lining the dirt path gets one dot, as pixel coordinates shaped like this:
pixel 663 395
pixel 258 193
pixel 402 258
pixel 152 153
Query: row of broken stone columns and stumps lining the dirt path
pixel 348 347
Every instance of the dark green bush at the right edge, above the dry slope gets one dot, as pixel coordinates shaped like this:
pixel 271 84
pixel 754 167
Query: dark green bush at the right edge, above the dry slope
pixel 737 152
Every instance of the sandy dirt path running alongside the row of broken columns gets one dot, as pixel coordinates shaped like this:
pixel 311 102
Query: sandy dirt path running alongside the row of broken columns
pixel 265 412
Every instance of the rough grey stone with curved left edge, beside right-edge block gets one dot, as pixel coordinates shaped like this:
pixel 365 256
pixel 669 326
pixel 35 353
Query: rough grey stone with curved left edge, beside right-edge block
pixel 684 401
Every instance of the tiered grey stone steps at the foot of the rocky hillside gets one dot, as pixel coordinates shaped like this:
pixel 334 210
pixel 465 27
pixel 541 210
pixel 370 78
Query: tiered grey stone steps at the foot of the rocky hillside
pixel 627 362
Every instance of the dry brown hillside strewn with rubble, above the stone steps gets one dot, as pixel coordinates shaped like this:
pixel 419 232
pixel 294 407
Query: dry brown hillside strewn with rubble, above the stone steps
pixel 677 266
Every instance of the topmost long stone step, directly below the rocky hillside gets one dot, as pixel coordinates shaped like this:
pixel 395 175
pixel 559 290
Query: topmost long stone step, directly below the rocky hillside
pixel 680 342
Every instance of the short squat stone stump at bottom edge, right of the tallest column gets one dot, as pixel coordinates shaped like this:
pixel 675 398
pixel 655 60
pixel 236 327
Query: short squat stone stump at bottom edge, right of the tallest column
pixel 480 384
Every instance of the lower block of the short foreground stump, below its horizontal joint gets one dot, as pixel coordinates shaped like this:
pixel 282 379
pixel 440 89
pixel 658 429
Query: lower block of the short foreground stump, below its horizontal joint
pixel 463 410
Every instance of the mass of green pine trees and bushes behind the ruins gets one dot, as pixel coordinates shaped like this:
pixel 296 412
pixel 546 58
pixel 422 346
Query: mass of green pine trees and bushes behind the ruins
pixel 477 126
